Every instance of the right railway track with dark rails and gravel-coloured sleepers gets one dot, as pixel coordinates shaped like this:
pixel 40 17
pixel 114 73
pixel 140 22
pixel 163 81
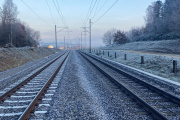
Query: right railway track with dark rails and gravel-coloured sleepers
pixel 160 104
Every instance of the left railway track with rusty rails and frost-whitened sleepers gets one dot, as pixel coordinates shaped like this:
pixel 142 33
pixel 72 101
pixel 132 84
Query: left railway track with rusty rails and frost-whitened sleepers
pixel 19 101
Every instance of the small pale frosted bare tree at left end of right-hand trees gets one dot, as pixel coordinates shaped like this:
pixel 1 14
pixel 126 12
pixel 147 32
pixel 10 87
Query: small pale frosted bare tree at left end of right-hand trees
pixel 108 37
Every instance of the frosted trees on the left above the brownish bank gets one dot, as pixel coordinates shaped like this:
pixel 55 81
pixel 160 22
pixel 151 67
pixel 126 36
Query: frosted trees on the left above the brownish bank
pixel 13 31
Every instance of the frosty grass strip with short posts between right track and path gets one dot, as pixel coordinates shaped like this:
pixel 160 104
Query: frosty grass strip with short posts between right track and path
pixel 158 64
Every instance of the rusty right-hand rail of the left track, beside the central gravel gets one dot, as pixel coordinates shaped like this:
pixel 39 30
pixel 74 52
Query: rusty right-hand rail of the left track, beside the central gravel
pixel 31 106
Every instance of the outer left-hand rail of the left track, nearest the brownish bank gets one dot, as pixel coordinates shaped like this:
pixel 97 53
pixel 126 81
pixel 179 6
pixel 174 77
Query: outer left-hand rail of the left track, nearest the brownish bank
pixel 11 91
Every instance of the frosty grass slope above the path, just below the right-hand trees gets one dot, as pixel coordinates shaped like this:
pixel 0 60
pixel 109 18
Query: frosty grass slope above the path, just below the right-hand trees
pixel 167 46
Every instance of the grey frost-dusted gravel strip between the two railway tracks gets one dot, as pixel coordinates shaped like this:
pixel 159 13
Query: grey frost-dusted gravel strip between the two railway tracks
pixel 83 93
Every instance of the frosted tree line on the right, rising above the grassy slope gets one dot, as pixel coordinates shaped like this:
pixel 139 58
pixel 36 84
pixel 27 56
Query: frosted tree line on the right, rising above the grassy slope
pixel 162 22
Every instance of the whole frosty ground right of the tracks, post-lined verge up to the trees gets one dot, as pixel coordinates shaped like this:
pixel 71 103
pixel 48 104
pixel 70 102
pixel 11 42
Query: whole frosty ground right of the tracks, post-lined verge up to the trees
pixel 158 56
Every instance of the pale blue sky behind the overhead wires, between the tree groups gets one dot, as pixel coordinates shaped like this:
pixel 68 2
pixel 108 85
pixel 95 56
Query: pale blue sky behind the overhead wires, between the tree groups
pixel 123 16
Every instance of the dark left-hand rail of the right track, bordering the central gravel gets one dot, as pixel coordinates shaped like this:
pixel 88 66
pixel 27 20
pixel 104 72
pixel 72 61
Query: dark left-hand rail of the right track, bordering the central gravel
pixel 141 102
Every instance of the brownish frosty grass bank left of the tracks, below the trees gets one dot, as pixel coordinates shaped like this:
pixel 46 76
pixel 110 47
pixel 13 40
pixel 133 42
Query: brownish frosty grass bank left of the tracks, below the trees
pixel 14 57
